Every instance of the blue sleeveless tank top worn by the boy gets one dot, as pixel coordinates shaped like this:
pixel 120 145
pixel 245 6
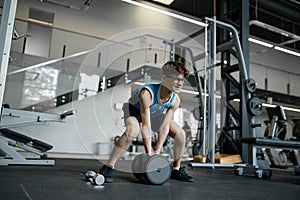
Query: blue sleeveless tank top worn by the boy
pixel 157 108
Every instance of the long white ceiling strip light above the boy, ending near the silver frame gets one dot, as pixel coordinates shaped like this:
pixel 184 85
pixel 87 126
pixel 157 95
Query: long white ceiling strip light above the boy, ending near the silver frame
pixel 187 19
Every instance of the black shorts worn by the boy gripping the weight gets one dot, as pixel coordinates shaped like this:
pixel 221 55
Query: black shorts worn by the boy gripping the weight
pixel 131 111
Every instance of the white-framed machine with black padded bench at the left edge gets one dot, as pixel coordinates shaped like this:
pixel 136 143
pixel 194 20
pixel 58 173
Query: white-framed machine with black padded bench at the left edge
pixel 19 149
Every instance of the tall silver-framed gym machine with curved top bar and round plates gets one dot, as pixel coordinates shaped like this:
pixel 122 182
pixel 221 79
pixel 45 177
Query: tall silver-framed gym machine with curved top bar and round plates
pixel 252 104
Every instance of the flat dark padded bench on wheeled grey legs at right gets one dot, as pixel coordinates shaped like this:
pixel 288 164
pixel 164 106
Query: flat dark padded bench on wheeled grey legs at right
pixel 260 168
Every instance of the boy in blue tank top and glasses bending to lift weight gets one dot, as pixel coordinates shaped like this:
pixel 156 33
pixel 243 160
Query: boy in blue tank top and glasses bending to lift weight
pixel 153 105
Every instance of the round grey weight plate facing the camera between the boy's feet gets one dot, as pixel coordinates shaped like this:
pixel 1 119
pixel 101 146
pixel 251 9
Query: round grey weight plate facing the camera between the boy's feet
pixel 158 170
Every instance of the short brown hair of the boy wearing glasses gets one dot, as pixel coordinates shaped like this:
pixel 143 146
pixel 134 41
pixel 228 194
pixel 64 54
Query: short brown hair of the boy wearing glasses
pixel 174 67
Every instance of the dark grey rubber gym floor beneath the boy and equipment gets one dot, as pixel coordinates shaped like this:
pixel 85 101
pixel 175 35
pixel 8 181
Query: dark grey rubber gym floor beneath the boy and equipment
pixel 66 181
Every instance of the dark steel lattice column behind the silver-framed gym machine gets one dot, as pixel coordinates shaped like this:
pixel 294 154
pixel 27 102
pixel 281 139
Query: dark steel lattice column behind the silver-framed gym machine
pixel 235 88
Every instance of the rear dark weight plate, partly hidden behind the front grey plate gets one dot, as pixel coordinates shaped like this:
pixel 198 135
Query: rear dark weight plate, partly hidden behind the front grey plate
pixel 138 167
